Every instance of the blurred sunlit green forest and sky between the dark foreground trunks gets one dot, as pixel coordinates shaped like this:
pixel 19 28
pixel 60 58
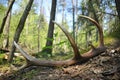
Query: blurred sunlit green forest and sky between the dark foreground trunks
pixel 34 35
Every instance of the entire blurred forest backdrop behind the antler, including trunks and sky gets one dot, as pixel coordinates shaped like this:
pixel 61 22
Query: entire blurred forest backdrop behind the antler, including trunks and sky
pixel 36 37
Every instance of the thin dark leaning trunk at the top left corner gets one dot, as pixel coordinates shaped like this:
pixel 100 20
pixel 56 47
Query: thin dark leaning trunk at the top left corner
pixel 5 17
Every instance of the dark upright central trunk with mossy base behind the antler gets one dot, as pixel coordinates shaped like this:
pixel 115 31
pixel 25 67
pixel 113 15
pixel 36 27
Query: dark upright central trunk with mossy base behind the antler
pixel 49 42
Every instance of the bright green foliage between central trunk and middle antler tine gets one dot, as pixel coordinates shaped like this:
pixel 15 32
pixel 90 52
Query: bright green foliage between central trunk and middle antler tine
pixel 61 42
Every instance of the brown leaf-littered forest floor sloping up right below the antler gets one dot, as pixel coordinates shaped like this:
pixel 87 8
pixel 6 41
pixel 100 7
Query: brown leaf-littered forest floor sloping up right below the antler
pixel 103 67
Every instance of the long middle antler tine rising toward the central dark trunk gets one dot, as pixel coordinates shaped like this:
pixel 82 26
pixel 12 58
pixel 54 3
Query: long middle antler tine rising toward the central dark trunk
pixel 72 41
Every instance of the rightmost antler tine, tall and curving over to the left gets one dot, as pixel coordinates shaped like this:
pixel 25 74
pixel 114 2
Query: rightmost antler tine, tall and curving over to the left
pixel 101 41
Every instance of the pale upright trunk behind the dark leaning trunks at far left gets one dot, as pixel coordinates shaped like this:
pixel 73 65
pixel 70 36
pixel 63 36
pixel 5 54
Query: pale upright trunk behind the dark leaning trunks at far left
pixel 6 30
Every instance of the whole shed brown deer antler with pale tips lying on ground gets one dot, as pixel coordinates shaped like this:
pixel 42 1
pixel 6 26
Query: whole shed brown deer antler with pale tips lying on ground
pixel 77 57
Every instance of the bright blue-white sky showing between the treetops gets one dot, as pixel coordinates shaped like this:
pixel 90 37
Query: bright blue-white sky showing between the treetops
pixel 46 6
